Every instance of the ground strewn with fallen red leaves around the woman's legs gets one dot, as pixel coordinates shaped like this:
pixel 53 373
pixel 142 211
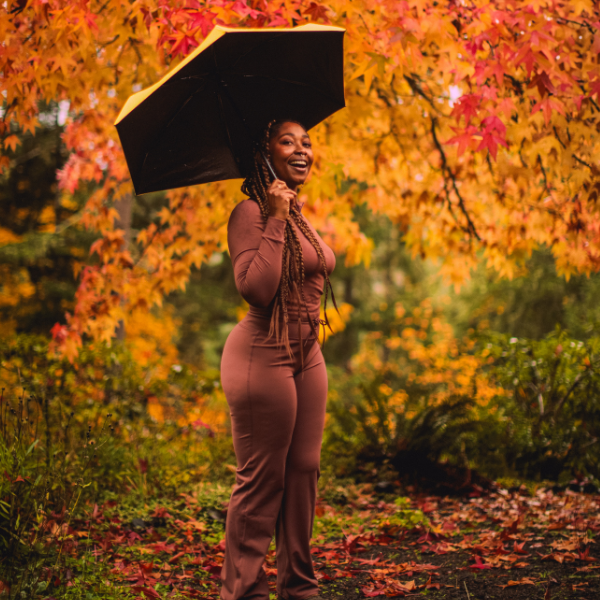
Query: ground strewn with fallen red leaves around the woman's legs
pixel 493 545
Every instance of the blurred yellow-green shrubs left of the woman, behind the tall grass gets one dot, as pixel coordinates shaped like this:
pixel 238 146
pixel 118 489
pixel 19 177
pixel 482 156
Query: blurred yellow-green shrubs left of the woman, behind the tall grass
pixel 149 414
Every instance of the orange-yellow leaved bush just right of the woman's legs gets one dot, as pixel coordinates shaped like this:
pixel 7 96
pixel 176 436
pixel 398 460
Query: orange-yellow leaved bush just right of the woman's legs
pixel 413 387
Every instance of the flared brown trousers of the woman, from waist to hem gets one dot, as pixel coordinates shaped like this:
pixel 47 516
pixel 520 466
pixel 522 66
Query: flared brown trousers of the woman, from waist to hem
pixel 277 416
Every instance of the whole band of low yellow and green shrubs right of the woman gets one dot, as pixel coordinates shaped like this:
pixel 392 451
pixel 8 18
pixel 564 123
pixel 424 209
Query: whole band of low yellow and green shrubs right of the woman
pixel 507 406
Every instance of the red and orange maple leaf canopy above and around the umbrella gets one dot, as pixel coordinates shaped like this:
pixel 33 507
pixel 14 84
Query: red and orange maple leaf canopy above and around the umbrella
pixel 471 125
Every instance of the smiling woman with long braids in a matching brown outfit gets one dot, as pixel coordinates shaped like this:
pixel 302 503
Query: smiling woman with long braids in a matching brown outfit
pixel 273 374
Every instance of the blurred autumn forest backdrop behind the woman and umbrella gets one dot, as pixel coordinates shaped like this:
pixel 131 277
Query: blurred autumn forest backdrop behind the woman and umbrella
pixel 459 190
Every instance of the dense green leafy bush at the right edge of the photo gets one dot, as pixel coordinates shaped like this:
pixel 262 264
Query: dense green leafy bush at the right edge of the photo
pixel 550 410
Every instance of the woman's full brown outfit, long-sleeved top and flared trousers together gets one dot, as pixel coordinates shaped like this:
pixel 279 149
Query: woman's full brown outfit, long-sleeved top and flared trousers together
pixel 277 416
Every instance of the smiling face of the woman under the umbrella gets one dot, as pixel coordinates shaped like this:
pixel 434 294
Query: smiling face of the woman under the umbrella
pixel 291 154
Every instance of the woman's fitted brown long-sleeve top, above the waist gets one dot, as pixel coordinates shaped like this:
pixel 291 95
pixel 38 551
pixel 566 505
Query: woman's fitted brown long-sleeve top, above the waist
pixel 256 248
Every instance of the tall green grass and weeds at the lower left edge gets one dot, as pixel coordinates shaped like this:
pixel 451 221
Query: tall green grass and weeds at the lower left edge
pixel 44 479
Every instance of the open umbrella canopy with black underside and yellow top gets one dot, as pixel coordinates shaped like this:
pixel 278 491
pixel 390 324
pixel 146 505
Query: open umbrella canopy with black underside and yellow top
pixel 200 122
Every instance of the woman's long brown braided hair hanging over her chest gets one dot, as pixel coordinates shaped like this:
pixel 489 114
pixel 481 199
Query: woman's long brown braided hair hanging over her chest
pixel 292 277
